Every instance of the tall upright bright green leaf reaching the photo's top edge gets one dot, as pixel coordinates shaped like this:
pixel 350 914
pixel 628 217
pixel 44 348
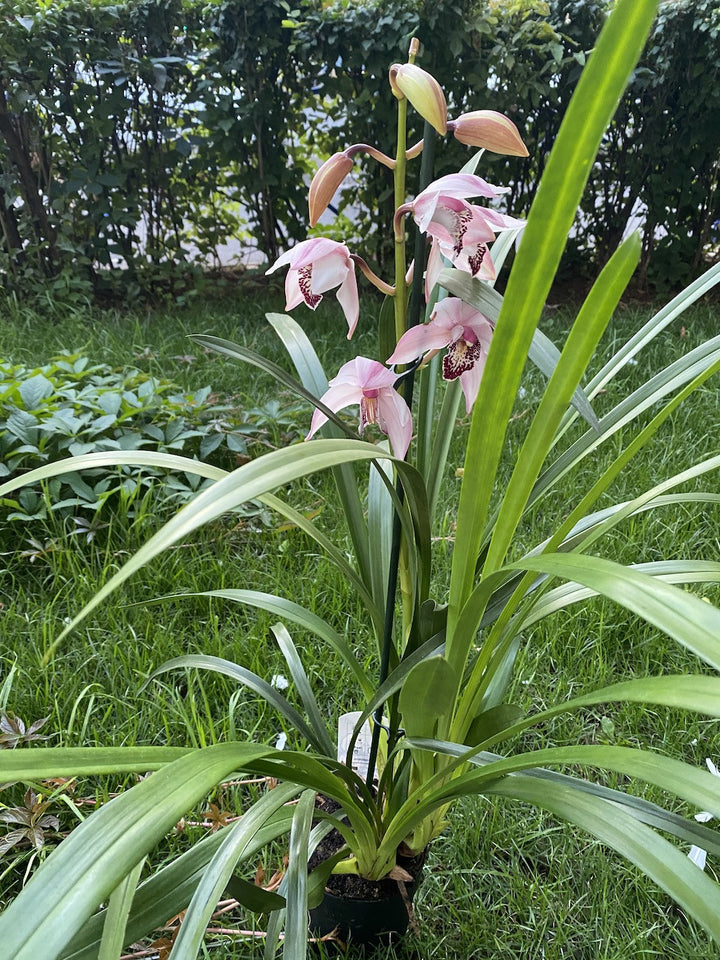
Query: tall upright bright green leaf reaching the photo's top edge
pixel 553 210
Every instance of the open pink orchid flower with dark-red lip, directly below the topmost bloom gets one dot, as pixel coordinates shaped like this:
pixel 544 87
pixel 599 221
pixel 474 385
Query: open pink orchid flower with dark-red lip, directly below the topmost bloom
pixel 464 331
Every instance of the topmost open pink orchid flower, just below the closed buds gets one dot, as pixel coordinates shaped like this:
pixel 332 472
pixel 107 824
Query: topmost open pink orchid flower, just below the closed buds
pixel 460 230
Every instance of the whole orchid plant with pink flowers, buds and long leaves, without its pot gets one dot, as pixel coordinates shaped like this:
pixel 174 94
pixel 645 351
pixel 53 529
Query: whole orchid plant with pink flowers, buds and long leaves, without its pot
pixel 437 709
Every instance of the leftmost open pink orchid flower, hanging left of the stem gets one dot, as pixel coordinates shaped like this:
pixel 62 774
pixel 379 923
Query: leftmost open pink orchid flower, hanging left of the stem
pixel 316 266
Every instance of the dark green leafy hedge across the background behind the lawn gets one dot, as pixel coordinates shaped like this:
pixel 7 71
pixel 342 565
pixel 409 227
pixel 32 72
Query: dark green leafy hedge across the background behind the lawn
pixel 133 131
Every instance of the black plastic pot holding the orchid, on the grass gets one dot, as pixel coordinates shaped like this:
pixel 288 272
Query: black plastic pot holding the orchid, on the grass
pixel 369 922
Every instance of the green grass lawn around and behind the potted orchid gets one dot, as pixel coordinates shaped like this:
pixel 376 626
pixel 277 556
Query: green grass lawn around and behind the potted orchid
pixel 504 881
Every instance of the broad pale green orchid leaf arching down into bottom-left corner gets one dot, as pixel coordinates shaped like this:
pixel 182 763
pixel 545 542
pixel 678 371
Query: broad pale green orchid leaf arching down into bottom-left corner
pixel 85 869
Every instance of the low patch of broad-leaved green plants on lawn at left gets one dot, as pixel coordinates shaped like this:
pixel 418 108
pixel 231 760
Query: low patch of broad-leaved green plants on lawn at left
pixel 69 407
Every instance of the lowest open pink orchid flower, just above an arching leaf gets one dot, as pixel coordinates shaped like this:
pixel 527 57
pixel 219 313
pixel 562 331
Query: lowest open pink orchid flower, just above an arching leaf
pixel 370 384
